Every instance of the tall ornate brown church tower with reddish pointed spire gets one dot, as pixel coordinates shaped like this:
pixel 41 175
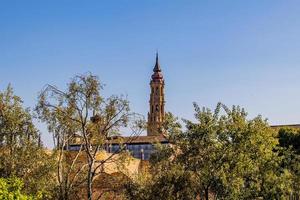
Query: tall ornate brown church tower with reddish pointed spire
pixel 156 115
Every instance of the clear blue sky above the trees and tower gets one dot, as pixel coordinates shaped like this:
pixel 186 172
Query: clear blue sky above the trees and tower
pixel 238 52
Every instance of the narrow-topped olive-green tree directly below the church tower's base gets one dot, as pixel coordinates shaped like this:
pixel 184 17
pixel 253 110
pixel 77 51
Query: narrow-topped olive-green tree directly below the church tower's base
pixel 166 180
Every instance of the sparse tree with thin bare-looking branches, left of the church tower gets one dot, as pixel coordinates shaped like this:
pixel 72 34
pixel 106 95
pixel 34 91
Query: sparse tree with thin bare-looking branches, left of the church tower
pixel 82 112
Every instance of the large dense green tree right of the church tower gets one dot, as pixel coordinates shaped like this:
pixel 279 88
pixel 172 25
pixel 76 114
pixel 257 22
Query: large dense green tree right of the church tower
pixel 223 155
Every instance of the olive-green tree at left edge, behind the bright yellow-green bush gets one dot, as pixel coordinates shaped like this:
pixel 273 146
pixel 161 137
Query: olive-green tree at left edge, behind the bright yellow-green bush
pixel 21 152
